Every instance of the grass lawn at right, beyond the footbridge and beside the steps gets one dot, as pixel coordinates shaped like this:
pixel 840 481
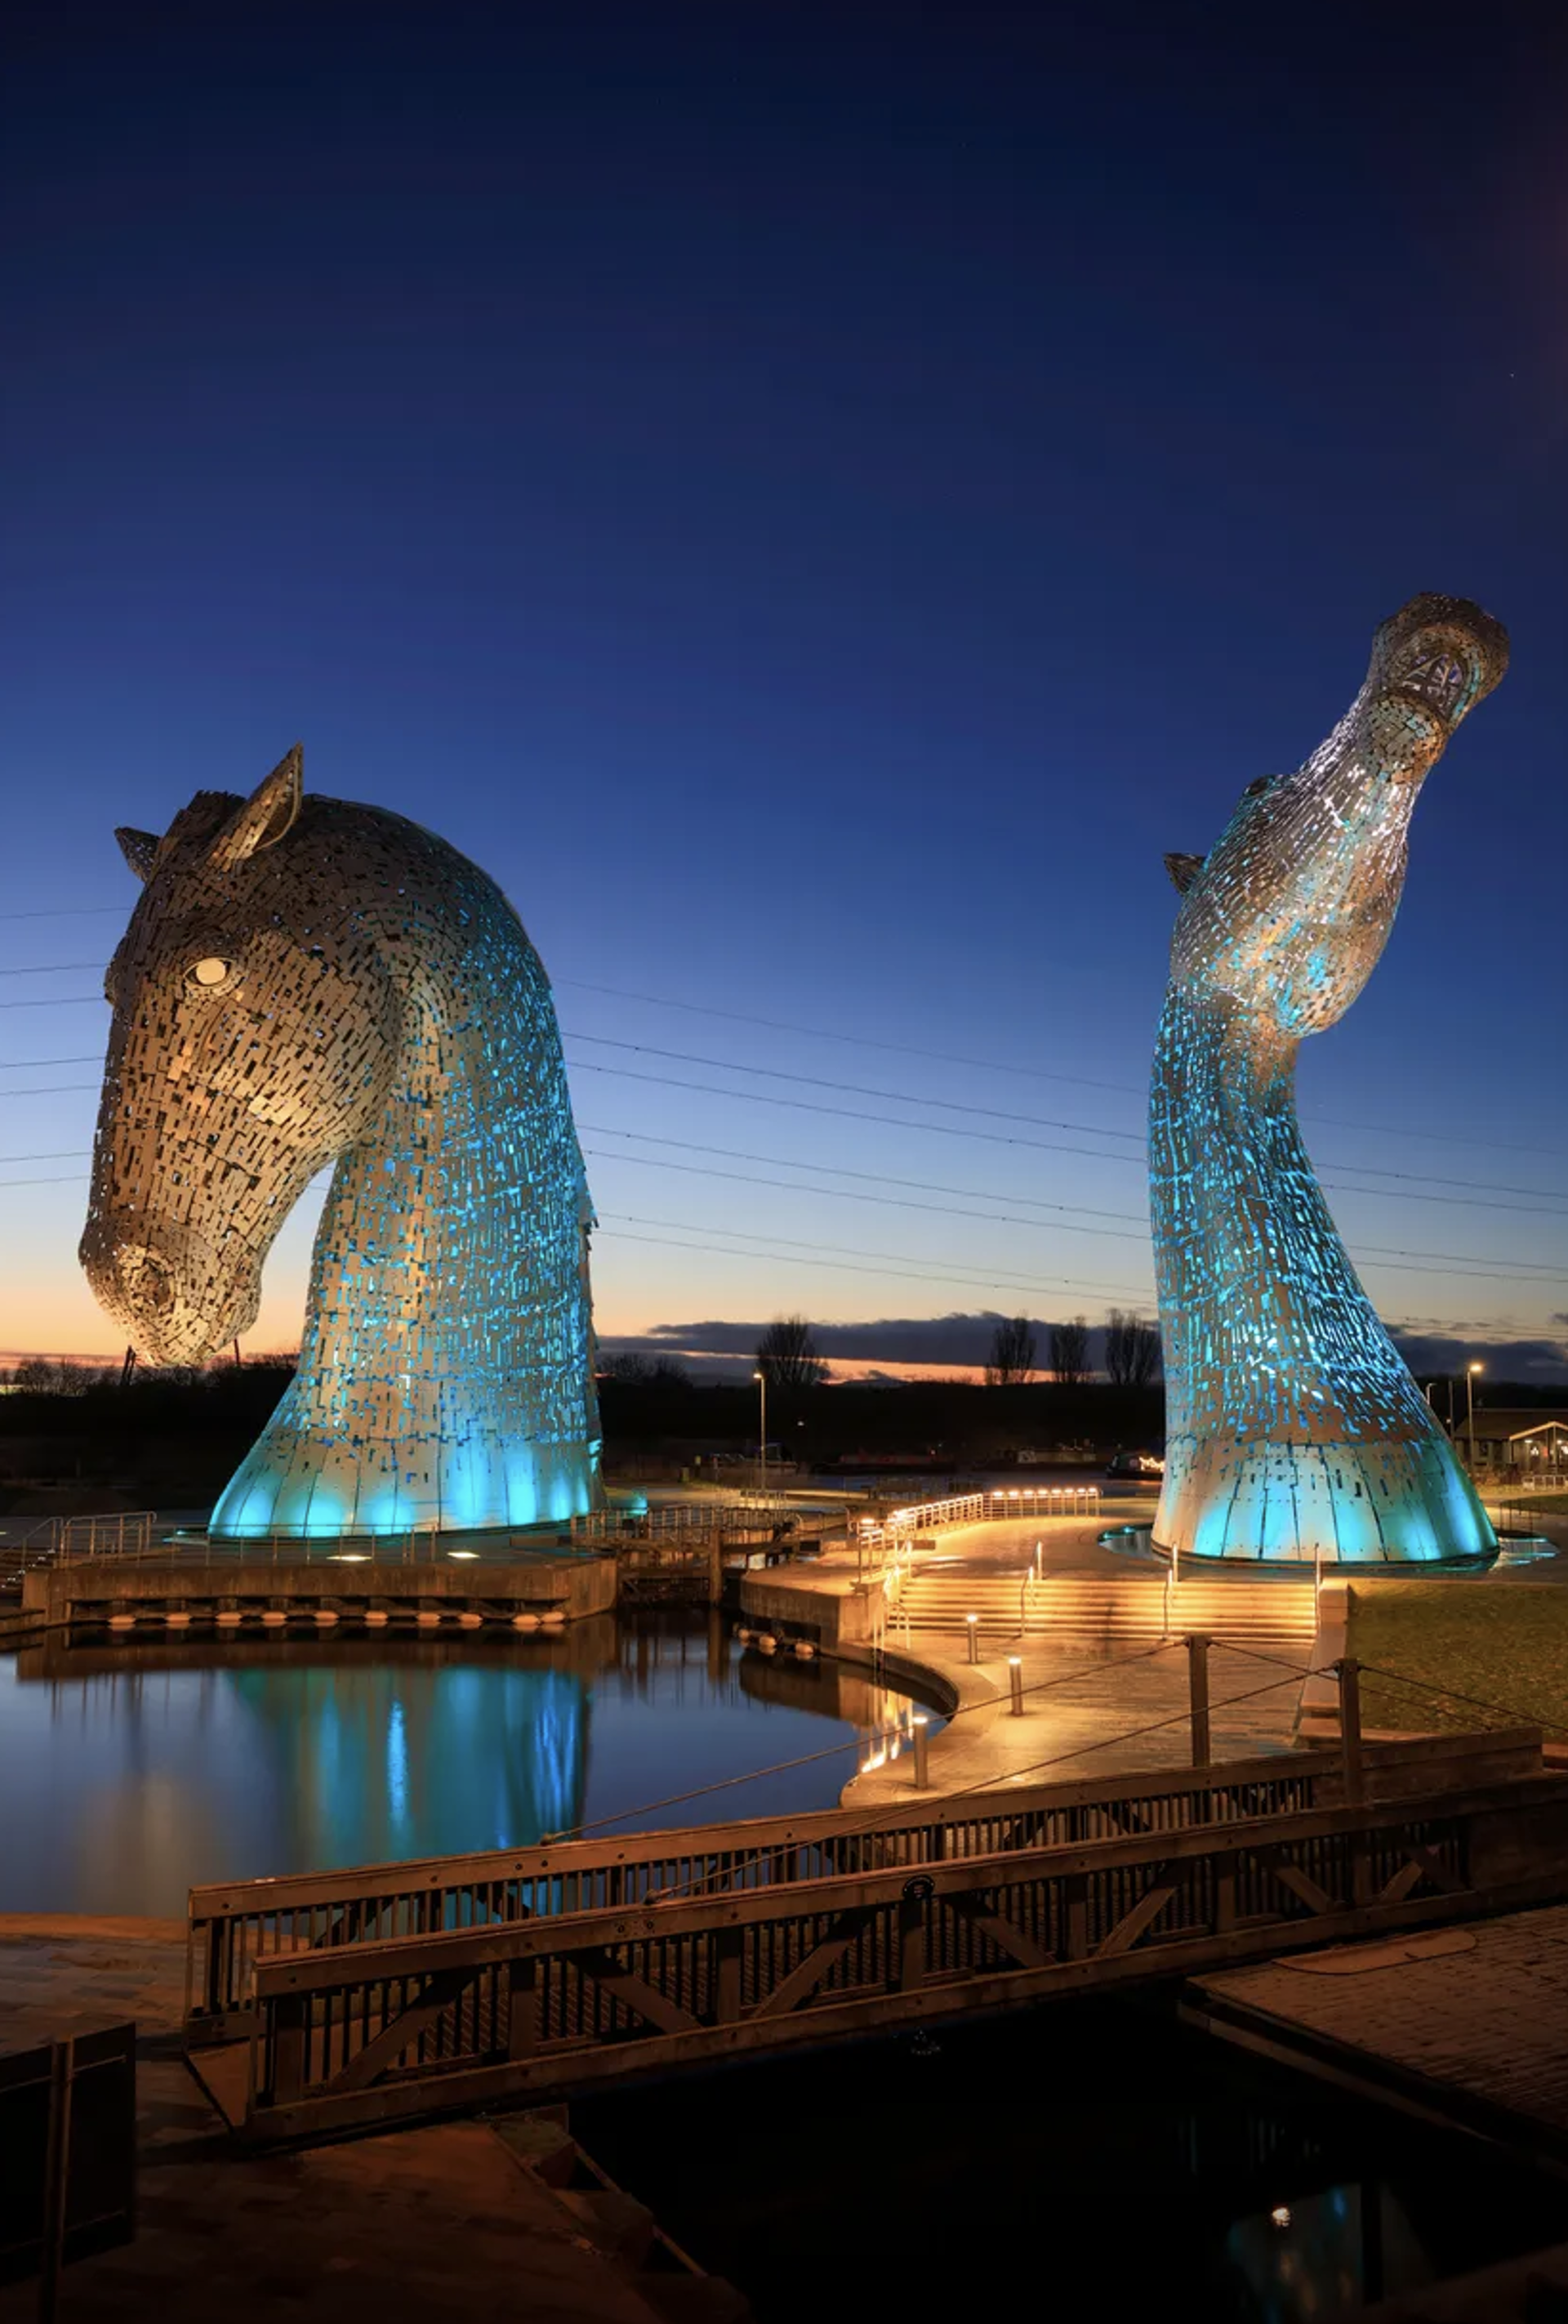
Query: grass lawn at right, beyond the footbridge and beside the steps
pixel 1497 1642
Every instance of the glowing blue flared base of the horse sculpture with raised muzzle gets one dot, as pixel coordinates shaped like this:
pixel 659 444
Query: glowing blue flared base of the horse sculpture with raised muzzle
pixel 1393 1502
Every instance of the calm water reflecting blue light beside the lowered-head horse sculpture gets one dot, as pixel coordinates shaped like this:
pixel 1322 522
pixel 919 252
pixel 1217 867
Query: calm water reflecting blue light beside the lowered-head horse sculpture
pixel 136 1770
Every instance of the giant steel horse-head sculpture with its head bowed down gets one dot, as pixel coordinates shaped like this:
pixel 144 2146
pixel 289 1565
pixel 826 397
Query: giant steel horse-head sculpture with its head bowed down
pixel 308 982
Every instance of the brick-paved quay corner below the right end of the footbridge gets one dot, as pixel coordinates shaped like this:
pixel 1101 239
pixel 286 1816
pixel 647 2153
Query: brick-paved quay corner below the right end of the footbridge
pixel 1467 2028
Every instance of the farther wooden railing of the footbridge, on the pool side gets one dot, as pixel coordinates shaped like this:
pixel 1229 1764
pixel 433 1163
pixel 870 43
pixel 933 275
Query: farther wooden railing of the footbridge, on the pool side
pixel 236 1925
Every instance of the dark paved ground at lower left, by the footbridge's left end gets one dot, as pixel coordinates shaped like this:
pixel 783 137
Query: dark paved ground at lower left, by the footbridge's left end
pixel 415 2225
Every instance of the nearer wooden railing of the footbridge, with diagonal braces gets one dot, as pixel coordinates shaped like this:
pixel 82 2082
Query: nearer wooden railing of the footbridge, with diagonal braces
pixel 382 2032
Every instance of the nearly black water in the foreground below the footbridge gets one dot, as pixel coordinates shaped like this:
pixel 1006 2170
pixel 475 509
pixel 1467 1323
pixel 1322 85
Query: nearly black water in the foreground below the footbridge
pixel 1084 2160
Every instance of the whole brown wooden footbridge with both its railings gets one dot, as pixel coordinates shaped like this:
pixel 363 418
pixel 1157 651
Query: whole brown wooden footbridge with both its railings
pixel 510 1979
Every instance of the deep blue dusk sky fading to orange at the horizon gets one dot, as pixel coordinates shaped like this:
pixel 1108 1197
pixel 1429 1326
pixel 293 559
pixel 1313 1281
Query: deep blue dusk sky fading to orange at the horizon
pixel 817 501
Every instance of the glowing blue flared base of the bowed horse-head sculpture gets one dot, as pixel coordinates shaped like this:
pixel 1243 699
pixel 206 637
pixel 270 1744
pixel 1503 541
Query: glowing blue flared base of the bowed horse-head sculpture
pixel 303 1491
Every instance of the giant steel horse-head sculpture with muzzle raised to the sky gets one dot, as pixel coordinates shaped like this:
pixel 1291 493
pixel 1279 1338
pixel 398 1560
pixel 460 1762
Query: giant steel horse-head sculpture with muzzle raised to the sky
pixel 1293 1426
